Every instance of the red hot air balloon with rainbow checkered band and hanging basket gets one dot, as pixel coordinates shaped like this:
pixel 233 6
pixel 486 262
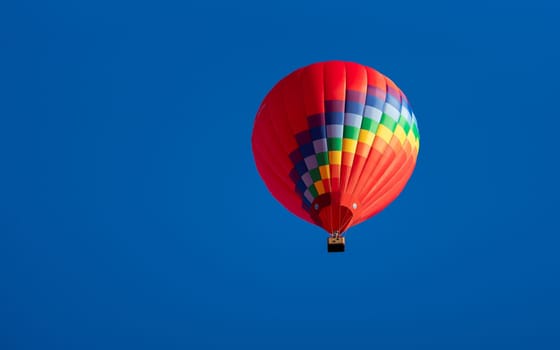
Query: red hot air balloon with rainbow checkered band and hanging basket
pixel 335 143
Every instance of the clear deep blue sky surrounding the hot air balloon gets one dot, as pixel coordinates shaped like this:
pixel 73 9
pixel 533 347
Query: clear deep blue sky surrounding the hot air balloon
pixel 132 215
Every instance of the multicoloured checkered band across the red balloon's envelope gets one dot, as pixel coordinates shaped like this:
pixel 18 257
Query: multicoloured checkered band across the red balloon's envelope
pixel 348 130
